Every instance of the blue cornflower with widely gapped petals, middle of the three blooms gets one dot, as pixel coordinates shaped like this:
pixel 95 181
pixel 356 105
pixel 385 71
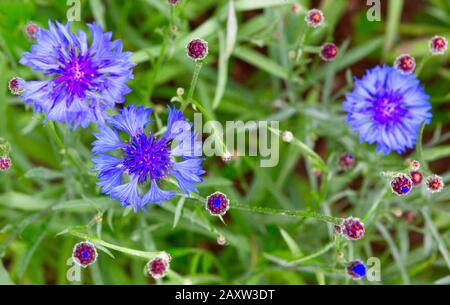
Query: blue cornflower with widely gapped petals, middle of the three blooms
pixel 127 169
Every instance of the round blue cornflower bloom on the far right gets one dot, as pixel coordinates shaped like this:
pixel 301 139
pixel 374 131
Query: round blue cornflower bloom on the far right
pixel 387 107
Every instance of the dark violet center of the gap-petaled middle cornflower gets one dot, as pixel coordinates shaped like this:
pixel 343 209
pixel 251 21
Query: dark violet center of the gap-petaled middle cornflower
pixel 146 156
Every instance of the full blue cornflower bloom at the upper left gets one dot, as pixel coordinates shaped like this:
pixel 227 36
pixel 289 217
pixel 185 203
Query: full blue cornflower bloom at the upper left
pixel 85 79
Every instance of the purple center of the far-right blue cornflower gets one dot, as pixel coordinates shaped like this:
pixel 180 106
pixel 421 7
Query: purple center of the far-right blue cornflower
pixel 387 108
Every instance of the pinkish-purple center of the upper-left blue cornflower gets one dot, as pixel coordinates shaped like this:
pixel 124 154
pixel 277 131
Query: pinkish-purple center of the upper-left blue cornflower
pixel 76 76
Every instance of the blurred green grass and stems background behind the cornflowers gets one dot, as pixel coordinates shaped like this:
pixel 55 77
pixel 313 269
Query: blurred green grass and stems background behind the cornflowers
pixel 50 190
